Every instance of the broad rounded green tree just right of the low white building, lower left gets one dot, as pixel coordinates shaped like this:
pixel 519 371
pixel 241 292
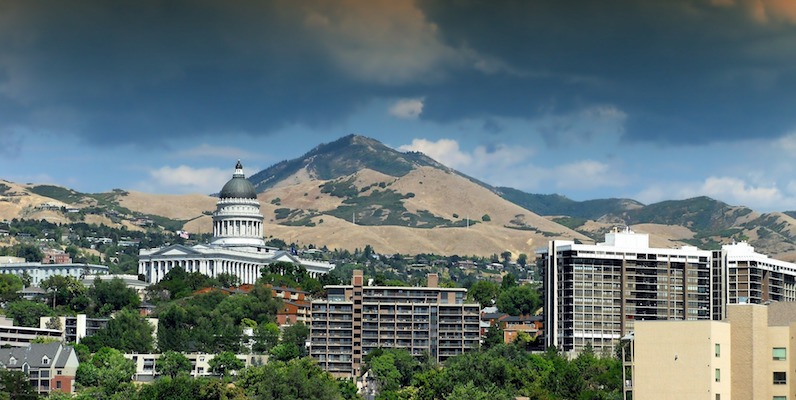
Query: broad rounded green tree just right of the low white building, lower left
pixel 126 331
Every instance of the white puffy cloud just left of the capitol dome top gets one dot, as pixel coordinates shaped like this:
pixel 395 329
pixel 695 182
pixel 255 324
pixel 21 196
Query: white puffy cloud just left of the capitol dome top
pixel 185 179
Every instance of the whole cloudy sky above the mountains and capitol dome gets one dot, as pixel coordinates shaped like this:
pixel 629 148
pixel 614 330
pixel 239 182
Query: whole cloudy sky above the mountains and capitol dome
pixel 649 100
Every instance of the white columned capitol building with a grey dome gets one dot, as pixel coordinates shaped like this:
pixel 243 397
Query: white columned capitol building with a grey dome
pixel 237 247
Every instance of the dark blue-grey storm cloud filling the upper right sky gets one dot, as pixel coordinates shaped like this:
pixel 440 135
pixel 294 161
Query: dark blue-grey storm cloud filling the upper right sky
pixel 683 71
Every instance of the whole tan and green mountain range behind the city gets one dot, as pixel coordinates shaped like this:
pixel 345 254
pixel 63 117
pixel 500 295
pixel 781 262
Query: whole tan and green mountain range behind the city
pixel 356 191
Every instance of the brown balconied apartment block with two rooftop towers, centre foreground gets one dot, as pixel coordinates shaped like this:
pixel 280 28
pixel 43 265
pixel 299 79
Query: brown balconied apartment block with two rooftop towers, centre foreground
pixel 358 318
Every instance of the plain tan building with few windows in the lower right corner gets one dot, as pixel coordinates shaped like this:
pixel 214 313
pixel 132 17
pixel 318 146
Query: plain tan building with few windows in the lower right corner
pixel 748 356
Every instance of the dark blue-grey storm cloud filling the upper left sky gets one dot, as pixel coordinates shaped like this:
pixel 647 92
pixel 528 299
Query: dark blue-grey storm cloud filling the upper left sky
pixel 136 71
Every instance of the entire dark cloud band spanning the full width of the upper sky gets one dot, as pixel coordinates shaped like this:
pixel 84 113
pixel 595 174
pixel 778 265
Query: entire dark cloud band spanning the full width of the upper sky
pixel 681 71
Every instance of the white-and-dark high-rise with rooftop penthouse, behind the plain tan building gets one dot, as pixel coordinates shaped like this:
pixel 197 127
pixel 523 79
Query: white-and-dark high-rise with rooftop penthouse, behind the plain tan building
pixel 595 293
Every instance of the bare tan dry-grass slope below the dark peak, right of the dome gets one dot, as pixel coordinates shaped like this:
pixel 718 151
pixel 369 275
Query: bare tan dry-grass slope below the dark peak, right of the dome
pixel 441 193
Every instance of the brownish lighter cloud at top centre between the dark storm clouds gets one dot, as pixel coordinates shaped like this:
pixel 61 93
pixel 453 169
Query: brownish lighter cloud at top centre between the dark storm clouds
pixel 381 41
